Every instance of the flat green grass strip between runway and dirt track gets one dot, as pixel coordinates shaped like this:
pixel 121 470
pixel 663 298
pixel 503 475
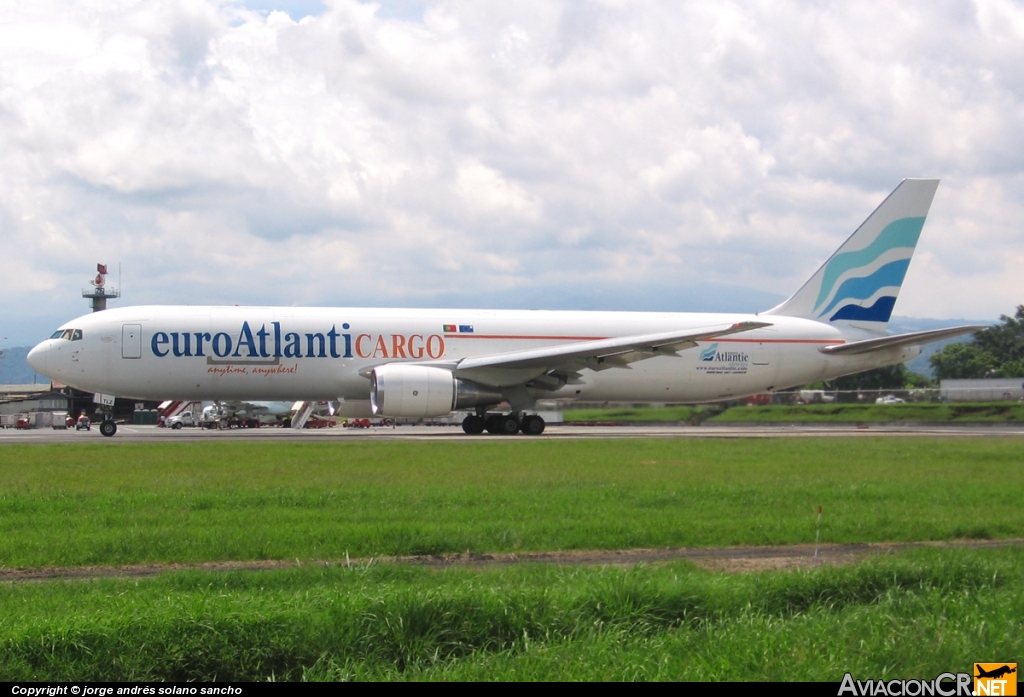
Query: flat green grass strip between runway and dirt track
pixel 83 504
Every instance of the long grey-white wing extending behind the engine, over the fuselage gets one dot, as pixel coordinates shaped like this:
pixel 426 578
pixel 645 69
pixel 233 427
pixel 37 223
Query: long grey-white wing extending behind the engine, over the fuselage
pixel 516 368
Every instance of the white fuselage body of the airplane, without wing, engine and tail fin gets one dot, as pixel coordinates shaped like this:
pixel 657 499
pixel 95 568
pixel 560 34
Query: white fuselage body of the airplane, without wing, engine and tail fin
pixel 269 354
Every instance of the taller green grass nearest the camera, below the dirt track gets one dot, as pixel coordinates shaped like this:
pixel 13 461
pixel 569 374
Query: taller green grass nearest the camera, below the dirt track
pixel 911 617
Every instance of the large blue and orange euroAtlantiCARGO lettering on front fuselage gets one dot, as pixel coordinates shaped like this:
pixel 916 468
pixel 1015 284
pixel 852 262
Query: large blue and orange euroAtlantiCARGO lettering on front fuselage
pixel 275 343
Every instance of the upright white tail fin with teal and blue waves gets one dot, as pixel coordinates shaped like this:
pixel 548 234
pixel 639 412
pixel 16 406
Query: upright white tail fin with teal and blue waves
pixel 859 285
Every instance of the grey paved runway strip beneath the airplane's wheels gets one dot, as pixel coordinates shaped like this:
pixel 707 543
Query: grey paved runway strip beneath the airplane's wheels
pixel 146 434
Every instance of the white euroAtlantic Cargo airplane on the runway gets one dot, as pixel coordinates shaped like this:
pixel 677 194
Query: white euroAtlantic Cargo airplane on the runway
pixel 421 363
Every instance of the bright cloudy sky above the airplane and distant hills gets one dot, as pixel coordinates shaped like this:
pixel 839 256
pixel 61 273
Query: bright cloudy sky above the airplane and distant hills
pixel 560 154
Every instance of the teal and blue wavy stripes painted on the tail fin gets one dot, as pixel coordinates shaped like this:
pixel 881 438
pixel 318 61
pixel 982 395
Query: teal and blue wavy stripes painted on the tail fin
pixel 864 284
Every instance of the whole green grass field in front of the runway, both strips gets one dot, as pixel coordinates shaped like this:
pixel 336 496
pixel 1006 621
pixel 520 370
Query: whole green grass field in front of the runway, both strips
pixel 911 616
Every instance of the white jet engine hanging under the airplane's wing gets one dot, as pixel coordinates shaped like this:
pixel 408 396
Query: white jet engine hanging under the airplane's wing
pixel 410 390
